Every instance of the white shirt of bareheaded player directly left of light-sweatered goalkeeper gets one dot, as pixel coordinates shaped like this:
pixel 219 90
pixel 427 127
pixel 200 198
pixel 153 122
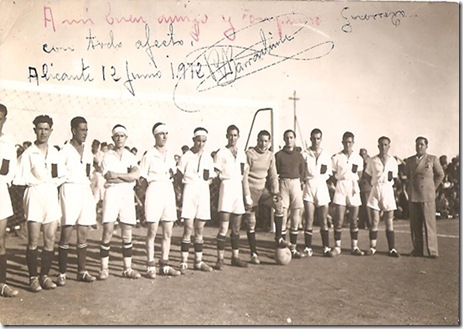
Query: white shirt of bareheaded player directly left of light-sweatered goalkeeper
pixel 230 167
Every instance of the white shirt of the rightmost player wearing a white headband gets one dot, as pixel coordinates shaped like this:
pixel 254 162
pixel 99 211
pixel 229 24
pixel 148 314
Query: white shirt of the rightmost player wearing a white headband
pixel 196 167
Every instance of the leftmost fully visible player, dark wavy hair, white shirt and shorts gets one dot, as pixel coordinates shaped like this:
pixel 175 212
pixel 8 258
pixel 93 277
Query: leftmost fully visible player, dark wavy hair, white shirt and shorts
pixel 38 170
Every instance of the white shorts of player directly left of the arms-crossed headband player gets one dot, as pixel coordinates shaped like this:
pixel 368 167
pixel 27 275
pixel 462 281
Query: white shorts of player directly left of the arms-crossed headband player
pixel 77 204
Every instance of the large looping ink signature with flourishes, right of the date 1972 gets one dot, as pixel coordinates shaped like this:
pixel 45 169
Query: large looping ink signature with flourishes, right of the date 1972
pixel 222 64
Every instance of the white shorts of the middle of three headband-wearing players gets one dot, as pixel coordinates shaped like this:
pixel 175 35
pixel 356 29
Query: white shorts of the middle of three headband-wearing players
pixel 160 202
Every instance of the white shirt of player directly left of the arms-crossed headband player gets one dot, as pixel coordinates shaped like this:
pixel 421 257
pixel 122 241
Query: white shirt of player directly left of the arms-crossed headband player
pixel 77 168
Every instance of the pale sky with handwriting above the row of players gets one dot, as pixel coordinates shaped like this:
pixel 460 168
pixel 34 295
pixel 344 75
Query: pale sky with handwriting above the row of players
pixel 373 68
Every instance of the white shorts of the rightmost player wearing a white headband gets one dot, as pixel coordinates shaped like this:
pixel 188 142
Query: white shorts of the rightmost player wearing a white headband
pixel 196 201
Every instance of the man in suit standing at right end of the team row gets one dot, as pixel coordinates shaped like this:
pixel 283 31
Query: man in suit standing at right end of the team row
pixel 425 174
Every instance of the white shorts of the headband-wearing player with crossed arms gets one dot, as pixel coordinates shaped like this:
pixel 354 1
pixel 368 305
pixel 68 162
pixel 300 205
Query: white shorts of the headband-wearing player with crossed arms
pixel 119 202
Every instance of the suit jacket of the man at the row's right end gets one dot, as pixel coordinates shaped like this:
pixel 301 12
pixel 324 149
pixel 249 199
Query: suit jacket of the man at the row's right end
pixel 425 175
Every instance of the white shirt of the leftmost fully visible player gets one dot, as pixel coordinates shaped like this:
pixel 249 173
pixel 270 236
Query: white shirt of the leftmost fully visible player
pixel 36 167
